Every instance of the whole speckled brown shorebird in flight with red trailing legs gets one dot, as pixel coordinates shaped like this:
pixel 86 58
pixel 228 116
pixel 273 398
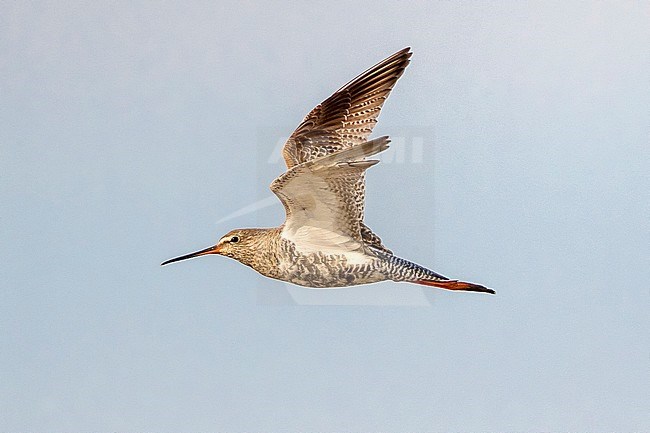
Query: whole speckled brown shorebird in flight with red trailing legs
pixel 323 242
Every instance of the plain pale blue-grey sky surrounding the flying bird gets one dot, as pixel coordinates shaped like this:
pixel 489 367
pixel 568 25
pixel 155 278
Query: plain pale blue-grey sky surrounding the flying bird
pixel 129 129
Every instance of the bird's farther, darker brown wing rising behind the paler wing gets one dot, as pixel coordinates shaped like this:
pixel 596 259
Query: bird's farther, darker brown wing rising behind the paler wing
pixel 347 117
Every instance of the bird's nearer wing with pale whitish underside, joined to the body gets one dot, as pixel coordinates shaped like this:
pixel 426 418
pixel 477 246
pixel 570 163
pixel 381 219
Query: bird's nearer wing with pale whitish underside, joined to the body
pixel 320 200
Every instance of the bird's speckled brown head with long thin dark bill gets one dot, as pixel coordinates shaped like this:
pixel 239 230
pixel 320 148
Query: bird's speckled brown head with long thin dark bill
pixel 240 244
